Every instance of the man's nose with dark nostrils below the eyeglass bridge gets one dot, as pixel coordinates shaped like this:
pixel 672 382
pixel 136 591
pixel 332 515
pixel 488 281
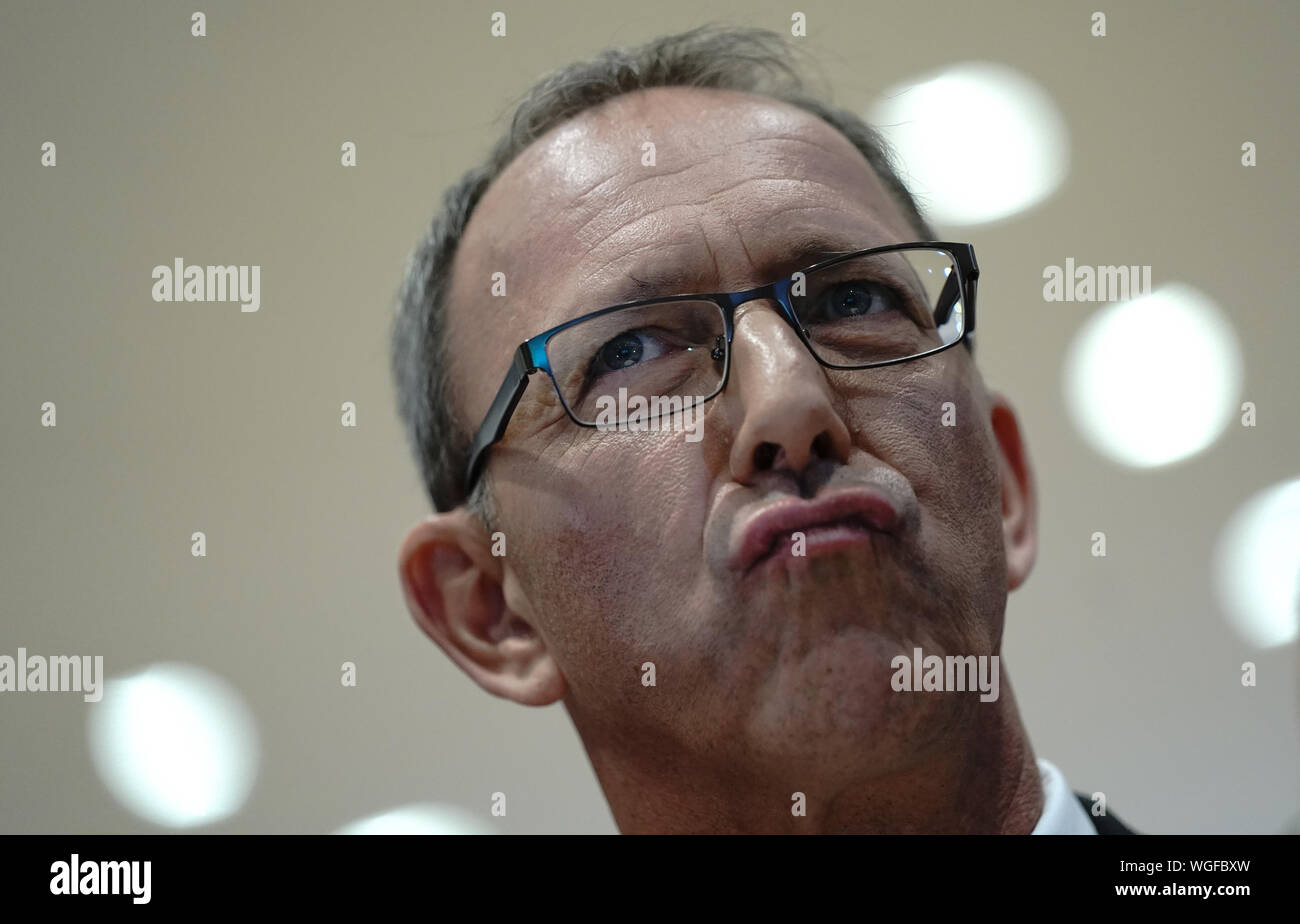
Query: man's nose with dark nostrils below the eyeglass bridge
pixel 787 420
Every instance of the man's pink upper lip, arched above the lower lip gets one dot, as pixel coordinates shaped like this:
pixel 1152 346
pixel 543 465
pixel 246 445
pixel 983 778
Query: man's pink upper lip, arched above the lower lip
pixel 753 536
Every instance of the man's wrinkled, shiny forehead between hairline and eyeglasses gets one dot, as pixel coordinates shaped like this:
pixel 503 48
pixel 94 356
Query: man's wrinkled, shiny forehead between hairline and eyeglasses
pixel 714 184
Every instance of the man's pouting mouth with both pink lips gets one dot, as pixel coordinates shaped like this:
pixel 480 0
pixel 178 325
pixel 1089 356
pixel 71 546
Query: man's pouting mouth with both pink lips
pixel 795 528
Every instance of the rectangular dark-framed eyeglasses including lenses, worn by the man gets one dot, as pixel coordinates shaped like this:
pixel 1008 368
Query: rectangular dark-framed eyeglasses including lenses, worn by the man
pixel 855 311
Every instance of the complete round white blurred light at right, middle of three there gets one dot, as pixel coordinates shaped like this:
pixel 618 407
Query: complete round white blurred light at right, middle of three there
pixel 1154 380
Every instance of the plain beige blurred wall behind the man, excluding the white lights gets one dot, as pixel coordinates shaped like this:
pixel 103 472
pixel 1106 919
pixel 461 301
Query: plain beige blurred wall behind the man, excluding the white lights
pixel 175 418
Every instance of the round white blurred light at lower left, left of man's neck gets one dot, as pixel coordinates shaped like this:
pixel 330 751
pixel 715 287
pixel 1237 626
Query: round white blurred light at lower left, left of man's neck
pixel 175 744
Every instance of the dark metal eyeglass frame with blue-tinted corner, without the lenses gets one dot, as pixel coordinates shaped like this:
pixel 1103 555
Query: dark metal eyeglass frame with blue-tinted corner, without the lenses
pixel 531 355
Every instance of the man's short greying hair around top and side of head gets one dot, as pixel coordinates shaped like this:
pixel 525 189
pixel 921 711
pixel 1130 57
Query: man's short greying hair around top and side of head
pixel 720 58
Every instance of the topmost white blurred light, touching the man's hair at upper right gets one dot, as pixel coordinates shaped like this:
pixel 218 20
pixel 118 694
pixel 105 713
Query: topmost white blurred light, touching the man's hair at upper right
pixel 976 142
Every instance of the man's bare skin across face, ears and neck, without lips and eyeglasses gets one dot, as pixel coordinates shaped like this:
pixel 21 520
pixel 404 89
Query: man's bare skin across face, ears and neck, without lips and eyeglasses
pixel 621 546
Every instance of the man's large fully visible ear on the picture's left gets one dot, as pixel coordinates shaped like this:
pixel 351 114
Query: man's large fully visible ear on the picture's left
pixel 454 589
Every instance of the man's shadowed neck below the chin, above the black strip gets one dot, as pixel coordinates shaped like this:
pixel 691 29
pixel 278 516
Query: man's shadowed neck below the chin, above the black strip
pixel 981 780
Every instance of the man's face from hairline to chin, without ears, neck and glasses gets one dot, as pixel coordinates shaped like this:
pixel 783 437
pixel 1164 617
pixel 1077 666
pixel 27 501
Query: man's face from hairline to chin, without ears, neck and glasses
pixel 635 548
